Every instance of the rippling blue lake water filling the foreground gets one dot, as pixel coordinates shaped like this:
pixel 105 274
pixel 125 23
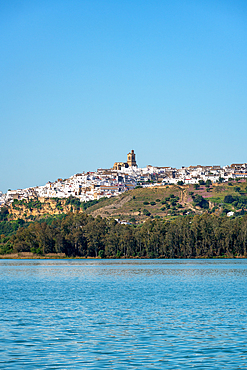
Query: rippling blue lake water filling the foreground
pixel 123 314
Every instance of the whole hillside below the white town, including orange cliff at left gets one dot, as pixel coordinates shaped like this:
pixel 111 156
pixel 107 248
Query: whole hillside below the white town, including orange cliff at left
pixel 140 204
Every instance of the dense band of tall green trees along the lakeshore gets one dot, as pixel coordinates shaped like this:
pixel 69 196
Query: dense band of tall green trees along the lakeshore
pixel 78 234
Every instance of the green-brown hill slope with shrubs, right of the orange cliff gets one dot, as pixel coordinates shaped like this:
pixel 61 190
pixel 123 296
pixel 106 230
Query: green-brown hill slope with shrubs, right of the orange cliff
pixel 173 200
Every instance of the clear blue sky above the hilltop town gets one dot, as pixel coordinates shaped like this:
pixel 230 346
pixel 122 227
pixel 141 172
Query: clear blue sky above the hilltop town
pixel 84 82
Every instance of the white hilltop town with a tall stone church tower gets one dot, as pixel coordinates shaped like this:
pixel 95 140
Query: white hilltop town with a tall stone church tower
pixel 124 176
